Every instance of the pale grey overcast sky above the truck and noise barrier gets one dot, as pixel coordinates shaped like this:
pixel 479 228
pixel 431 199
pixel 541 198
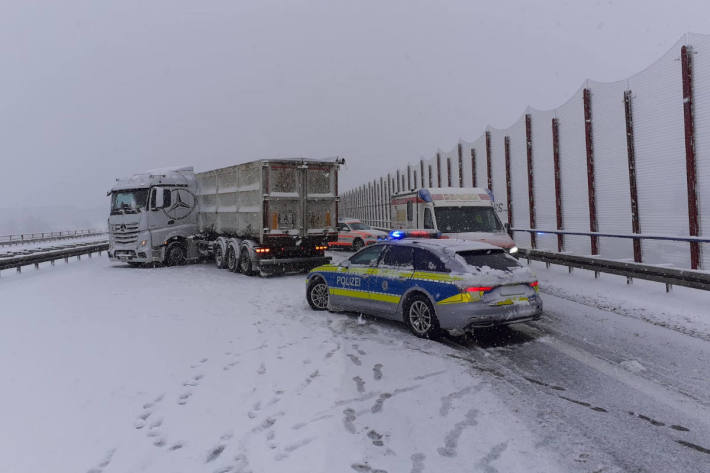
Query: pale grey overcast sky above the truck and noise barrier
pixel 93 90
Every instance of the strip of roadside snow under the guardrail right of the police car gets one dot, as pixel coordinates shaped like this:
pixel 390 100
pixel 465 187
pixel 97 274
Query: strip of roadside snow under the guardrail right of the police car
pixel 683 309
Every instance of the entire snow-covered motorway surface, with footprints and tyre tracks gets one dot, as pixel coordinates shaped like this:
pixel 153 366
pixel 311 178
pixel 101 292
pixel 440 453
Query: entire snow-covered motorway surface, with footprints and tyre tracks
pixel 108 368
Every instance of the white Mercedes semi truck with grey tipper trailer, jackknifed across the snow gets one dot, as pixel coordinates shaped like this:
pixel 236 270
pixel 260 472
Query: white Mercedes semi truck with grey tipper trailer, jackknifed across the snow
pixel 260 217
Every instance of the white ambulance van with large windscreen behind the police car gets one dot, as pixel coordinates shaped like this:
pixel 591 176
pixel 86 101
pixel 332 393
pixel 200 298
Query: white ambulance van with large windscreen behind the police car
pixel 463 213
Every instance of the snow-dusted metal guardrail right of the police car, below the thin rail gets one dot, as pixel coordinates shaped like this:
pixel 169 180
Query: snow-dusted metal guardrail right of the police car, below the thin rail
pixel 669 276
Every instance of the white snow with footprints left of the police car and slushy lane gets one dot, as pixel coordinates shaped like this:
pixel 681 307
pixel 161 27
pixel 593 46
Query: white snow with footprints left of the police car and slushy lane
pixel 107 368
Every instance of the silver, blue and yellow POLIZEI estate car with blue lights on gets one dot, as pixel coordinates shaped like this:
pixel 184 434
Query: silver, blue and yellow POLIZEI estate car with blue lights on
pixel 429 284
